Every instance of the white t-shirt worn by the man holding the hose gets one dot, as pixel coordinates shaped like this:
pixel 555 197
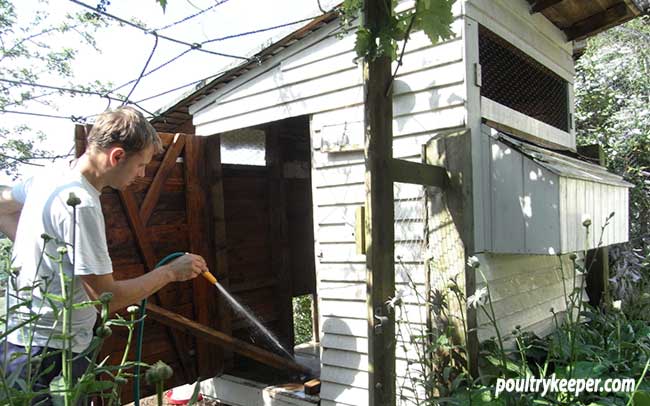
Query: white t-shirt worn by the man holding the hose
pixel 45 210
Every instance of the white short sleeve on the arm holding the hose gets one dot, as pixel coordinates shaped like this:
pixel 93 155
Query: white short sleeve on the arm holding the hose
pixel 90 246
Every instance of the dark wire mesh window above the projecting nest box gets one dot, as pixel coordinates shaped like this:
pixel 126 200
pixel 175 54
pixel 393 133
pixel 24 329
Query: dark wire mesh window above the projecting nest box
pixel 513 79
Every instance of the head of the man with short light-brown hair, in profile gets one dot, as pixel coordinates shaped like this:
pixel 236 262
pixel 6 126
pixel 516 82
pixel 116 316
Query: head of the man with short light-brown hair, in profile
pixel 124 142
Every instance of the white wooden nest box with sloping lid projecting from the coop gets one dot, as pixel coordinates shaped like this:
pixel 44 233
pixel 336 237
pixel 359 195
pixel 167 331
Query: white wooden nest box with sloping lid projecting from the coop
pixel 539 207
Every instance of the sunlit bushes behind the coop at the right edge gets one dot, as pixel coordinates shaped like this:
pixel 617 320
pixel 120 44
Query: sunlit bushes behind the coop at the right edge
pixel 612 97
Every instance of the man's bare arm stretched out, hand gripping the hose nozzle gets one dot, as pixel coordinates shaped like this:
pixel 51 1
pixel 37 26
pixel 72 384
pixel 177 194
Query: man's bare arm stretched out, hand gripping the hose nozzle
pixel 132 291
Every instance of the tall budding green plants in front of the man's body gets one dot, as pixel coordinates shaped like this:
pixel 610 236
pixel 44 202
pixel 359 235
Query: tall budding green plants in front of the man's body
pixel 99 379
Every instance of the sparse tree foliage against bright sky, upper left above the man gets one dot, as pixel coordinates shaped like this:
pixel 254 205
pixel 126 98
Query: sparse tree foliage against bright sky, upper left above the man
pixel 37 49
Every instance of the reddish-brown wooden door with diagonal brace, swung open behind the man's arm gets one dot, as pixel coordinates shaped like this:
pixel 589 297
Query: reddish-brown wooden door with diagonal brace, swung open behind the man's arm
pixel 176 207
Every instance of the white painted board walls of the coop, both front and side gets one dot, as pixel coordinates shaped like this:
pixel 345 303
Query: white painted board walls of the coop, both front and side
pixel 316 76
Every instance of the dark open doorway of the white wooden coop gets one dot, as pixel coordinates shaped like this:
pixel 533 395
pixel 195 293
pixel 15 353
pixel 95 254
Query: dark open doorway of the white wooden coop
pixel 268 213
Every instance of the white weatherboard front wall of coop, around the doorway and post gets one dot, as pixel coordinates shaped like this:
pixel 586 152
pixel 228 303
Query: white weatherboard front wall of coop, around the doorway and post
pixel 317 76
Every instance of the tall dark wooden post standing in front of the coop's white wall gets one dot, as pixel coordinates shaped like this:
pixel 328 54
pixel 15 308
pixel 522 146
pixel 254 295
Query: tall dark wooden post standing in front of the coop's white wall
pixel 380 217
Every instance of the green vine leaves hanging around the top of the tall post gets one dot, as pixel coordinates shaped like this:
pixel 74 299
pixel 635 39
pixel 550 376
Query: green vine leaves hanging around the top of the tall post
pixel 434 17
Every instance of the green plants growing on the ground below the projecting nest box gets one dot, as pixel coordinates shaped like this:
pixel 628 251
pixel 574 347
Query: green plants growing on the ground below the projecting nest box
pixel 587 343
